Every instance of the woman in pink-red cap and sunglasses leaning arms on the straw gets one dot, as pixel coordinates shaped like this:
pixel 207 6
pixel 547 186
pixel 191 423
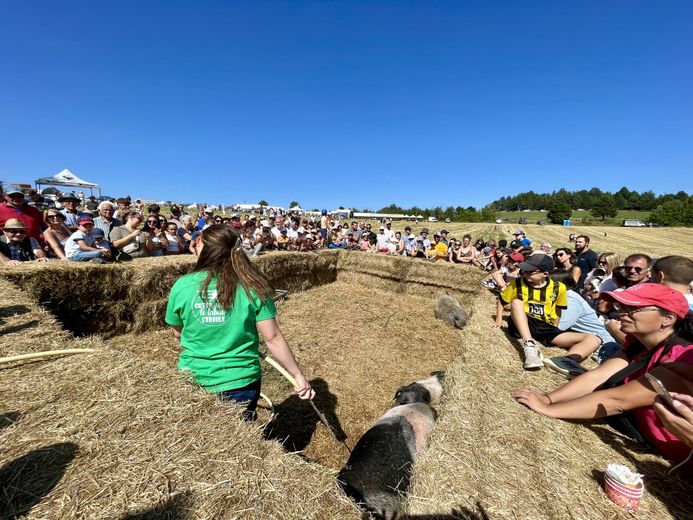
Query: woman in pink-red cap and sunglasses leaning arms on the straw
pixel 659 330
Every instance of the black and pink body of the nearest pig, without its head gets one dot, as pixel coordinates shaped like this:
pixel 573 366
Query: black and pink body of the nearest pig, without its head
pixel 378 472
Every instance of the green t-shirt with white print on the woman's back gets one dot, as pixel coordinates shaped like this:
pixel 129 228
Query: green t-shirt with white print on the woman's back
pixel 220 347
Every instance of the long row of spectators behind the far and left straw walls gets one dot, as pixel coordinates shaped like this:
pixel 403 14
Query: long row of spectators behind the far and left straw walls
pixel 82 230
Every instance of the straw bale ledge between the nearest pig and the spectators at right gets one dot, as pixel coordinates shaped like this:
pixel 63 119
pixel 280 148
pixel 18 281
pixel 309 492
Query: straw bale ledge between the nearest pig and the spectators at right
pixel 486 449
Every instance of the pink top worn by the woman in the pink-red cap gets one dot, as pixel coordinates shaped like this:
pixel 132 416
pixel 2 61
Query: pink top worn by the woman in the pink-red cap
pixel 645 417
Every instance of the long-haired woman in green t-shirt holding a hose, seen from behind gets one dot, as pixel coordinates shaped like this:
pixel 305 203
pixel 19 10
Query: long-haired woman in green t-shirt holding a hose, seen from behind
pixel 217 311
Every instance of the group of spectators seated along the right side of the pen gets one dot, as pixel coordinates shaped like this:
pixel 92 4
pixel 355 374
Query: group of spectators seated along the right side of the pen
pixel 634 318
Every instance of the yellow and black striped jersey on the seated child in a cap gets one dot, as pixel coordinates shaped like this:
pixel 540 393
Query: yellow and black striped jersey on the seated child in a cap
pixel 540 302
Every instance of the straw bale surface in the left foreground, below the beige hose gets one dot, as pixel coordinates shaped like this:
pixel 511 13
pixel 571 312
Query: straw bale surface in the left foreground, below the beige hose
pixel 122 436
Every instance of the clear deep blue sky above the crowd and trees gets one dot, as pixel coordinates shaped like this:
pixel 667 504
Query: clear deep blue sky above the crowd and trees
pixel 358 104
